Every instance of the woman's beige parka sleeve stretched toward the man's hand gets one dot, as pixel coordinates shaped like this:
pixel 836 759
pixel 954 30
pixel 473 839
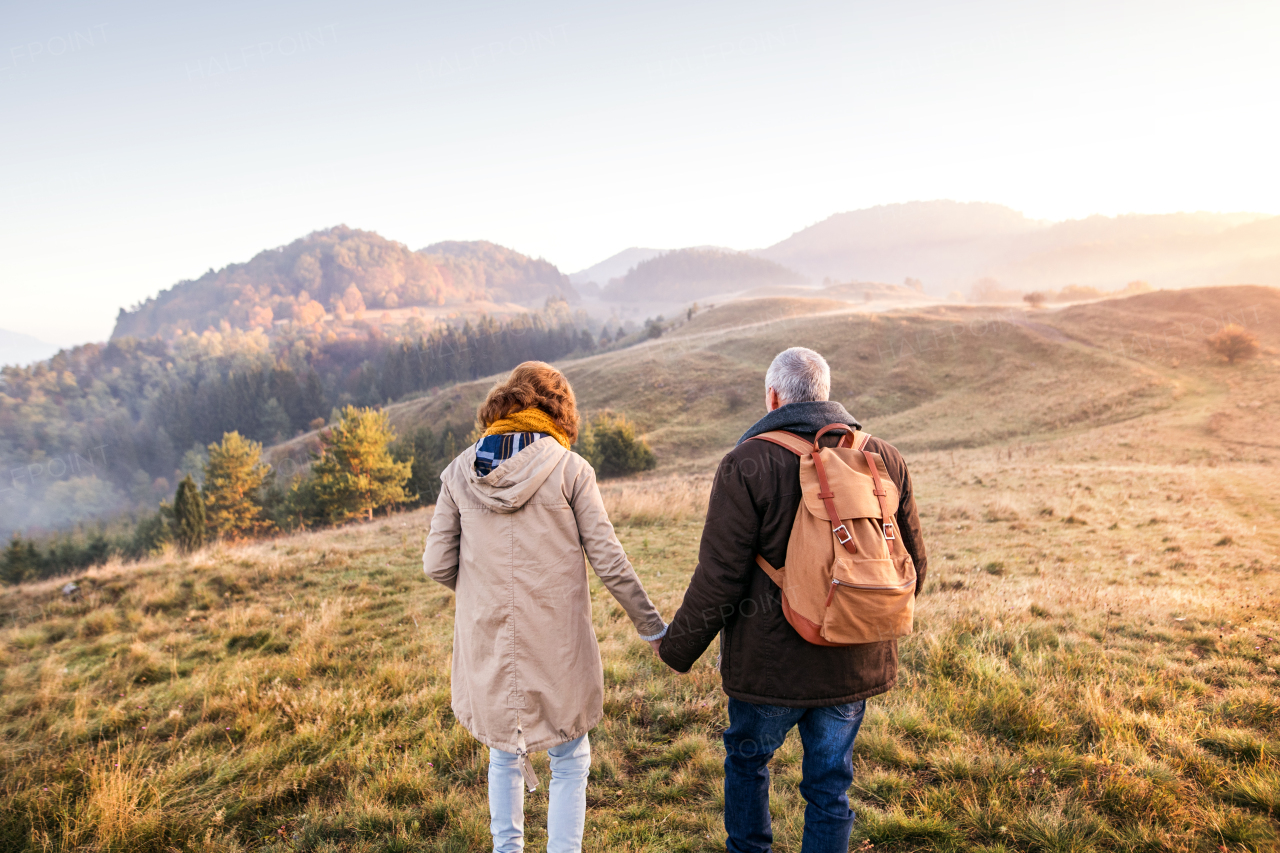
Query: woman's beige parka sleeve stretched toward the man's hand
pixel 607 558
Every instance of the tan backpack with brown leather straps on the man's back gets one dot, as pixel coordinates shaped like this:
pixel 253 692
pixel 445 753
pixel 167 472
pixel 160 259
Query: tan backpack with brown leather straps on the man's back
pixel 848 578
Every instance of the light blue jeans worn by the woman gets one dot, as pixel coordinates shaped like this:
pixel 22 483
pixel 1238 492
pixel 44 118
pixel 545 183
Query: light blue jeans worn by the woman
pixel 566 814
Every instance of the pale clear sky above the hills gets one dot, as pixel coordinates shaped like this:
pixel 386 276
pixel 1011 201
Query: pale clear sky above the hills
pixel 147 143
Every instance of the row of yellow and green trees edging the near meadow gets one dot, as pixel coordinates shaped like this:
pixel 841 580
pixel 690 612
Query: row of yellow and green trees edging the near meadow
pixel 363 468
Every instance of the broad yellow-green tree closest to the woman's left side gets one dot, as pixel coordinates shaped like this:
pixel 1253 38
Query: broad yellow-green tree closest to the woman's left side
pixel 355 472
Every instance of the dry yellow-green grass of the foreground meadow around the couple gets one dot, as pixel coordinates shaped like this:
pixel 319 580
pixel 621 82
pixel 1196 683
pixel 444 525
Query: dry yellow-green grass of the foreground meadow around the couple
pixel 1072 686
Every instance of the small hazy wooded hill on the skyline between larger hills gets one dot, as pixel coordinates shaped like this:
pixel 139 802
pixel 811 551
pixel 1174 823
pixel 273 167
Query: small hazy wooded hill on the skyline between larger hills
pixel 693 273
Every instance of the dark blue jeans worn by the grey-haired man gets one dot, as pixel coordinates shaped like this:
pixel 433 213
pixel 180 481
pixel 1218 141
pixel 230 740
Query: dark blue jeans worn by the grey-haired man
pixel 755 735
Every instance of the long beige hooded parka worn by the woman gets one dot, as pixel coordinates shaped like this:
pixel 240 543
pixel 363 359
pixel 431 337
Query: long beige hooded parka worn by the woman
pixel 511 546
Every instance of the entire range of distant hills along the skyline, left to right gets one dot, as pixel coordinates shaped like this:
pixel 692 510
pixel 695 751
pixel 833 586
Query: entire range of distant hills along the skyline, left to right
pixel 950 247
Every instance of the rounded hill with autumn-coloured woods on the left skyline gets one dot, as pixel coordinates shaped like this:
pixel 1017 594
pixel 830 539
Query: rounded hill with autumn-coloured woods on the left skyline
pixel 341 273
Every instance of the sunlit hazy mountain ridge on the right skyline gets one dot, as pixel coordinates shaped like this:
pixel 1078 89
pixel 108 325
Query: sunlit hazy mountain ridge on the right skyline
pixel 950 245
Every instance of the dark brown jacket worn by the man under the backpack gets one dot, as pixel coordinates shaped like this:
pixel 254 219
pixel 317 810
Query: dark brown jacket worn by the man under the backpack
pixel 764 660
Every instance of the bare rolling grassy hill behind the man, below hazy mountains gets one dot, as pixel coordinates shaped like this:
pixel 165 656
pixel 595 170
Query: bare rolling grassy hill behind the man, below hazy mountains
pixel 935 378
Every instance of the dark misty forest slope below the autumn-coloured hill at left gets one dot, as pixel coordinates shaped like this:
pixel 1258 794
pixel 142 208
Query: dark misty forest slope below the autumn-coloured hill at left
pixel 106 428
